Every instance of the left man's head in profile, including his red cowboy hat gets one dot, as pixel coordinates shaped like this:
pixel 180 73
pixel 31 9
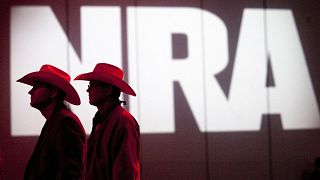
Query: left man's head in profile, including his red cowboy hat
pixel 50 84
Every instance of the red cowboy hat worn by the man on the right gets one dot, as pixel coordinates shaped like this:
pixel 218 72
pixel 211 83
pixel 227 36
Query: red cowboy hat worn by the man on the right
pixel 109 74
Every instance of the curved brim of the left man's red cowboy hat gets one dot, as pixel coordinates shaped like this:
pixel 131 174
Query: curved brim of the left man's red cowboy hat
pixel 71 94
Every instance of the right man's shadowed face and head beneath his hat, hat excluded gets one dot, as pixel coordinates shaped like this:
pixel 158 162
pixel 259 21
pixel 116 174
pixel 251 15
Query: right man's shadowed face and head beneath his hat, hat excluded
pixel 100 92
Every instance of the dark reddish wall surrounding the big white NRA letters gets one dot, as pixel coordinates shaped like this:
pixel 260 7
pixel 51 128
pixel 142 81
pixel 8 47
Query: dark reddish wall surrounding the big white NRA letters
pixel 271 153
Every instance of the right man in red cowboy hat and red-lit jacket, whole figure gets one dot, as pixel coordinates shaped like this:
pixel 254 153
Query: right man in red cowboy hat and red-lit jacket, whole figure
pixel 114 142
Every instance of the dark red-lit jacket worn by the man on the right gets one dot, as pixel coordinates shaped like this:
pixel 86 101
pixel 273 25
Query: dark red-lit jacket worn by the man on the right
pixel 114 147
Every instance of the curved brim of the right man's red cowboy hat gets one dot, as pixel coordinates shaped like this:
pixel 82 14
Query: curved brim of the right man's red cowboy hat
pixel 113 80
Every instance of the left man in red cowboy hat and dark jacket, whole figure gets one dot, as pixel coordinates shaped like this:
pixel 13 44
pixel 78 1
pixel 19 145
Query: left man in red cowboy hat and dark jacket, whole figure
pixel 60 150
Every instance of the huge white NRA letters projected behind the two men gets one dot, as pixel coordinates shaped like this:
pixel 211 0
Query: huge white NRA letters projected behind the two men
pixel 38 38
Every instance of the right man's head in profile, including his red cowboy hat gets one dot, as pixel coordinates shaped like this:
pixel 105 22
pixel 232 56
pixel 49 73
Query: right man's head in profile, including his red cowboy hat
pixel 105 83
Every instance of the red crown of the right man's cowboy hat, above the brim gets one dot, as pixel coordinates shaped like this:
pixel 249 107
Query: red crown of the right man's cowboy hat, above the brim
pixel 109 69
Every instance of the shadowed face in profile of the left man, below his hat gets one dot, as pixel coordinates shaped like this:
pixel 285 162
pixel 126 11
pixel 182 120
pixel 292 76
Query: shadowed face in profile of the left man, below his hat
pixel 40 95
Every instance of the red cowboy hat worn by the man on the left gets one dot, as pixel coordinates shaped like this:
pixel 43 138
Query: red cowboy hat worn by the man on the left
pixel 56 77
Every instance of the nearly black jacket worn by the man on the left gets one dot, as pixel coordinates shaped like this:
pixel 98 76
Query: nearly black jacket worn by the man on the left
pixel 60 150
